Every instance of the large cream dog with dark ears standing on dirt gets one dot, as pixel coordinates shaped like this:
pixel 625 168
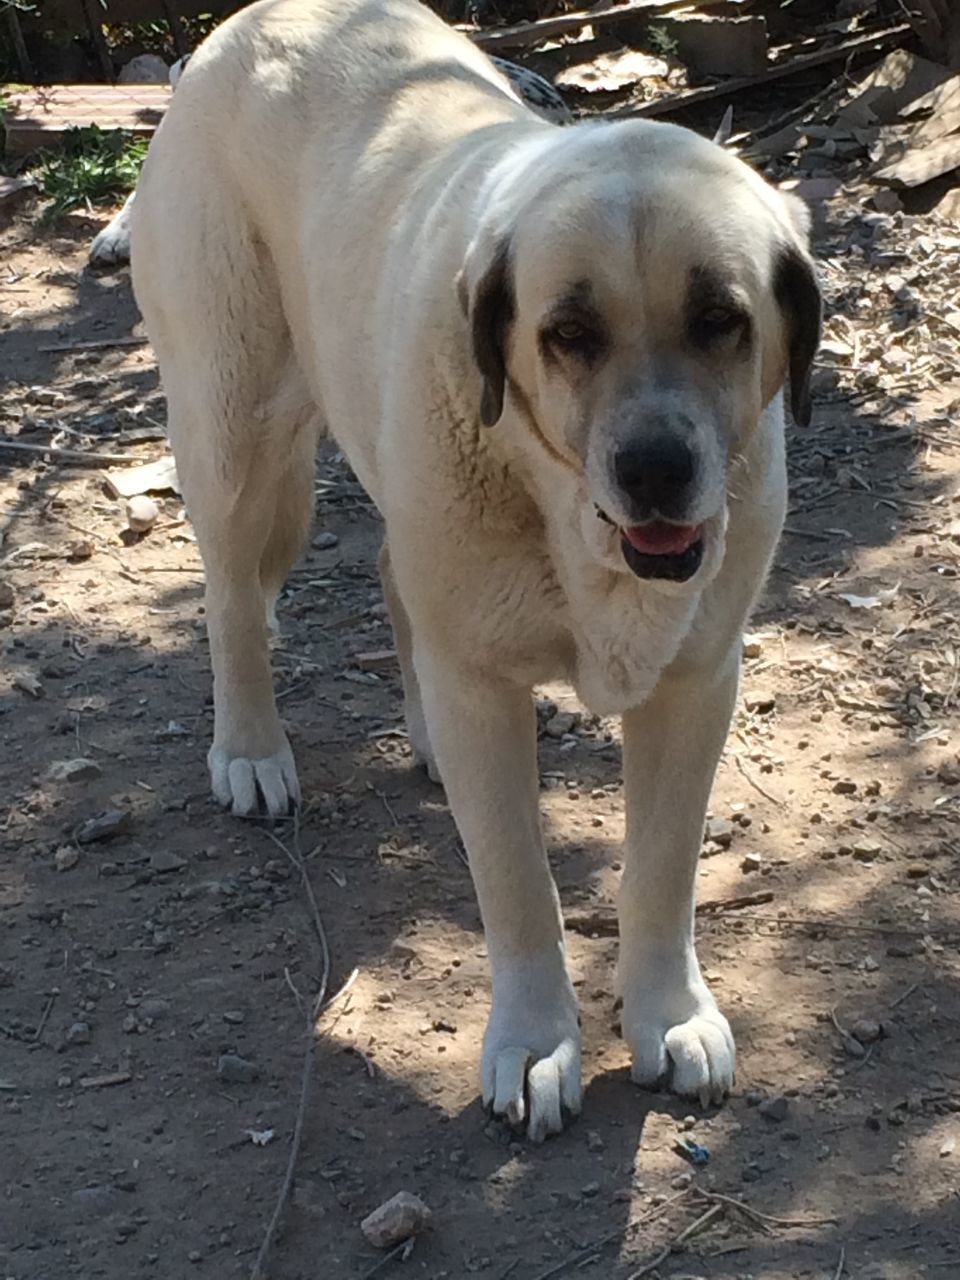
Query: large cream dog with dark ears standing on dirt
pixel 555 359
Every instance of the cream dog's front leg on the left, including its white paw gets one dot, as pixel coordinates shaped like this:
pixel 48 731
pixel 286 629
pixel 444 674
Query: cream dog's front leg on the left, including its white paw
pixel 484 734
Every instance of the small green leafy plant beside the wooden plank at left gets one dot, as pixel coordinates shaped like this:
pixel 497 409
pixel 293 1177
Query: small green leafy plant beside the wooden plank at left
pixel 92 167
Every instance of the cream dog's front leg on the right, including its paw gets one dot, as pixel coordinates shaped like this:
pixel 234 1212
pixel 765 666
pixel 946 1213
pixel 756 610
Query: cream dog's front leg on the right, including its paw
pixel 671 748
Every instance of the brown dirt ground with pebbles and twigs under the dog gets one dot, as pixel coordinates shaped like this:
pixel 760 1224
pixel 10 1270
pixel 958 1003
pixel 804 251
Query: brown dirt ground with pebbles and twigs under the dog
pixel 130 967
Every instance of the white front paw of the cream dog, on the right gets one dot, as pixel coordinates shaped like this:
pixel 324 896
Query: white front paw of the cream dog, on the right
pixel 682 1040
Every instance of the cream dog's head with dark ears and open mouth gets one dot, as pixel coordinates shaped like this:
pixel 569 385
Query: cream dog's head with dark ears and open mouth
pixel 638 298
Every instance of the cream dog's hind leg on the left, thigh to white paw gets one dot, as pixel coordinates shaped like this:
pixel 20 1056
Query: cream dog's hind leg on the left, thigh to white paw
pixel 241 429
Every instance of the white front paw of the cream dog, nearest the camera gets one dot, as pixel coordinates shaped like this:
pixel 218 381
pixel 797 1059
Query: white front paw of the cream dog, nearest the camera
pixel 531 1069
